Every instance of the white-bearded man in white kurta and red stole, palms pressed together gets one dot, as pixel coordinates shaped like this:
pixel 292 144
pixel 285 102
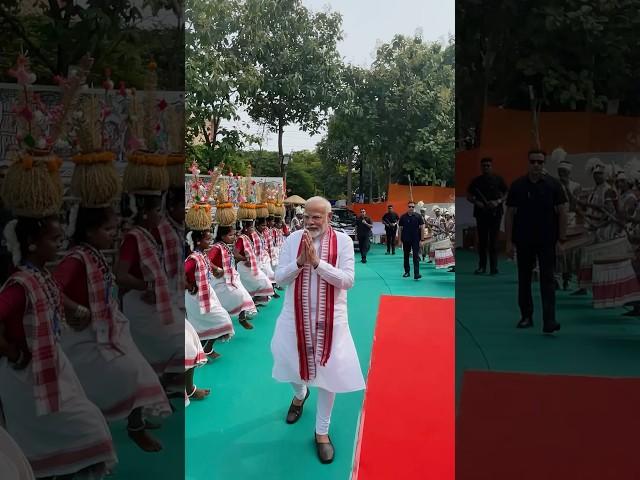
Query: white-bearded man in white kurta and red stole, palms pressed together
pixel 312 343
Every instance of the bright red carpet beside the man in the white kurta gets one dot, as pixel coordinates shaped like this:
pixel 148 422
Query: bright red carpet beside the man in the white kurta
pixel 407 425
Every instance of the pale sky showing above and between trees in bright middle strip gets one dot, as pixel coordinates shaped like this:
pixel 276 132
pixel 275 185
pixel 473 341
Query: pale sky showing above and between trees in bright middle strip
pixel 365 24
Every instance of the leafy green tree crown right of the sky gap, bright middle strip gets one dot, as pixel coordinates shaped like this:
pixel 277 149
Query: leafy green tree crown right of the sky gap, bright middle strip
pixel 398 117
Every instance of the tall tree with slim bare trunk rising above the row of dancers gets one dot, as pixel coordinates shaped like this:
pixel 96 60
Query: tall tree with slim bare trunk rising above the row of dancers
pixel 294 64
